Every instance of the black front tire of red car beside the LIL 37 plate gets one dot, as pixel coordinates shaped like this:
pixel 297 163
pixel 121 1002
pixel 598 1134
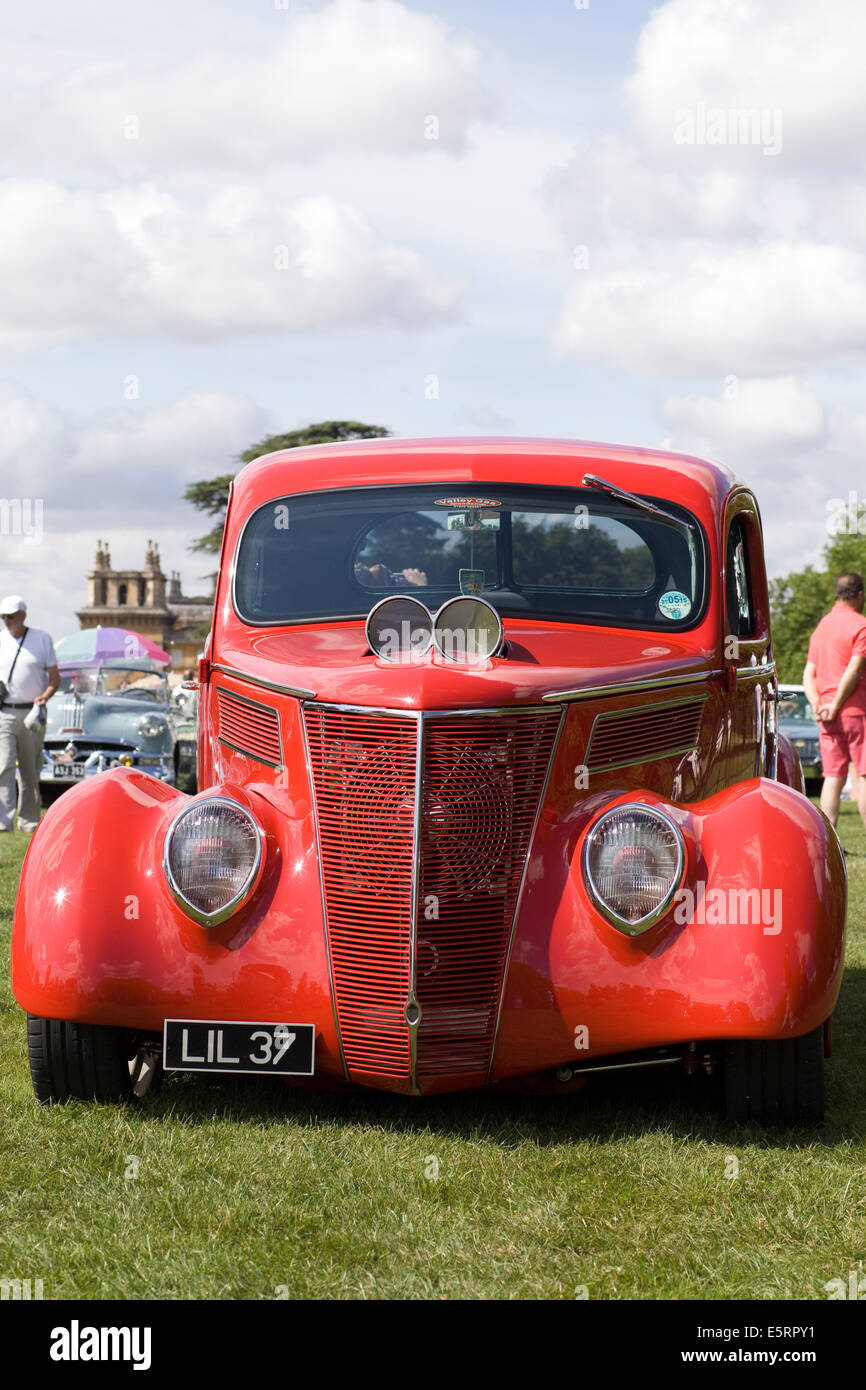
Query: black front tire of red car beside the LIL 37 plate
pixel 79 1061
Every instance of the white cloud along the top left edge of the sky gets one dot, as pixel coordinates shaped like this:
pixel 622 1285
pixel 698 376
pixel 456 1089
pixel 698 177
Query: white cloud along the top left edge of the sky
pixel 358 76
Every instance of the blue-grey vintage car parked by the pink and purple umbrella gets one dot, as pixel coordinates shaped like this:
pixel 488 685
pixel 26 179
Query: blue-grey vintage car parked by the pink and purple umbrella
pixel 113 714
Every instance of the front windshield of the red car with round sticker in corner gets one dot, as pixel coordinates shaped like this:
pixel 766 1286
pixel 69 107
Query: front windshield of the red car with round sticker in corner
pixel 554 553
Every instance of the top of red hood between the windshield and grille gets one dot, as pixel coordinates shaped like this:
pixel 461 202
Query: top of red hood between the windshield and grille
pixel 332 661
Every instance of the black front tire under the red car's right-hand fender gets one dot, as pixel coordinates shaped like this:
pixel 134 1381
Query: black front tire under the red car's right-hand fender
pixel 776 1082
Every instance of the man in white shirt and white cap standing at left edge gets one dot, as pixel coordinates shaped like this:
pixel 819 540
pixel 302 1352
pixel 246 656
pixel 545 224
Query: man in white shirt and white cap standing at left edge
pixel 28 668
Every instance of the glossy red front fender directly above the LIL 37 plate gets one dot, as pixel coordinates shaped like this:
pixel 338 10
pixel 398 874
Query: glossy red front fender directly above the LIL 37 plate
pixel 99 938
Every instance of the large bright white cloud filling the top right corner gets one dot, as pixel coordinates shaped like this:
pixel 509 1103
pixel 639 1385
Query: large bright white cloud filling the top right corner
pixel 717 259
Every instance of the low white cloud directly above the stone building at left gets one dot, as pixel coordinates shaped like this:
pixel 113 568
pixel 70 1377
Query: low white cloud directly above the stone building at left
pixel 117 475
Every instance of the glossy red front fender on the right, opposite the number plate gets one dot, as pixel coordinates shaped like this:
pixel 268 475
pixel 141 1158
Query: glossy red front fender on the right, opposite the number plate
pixel 690 979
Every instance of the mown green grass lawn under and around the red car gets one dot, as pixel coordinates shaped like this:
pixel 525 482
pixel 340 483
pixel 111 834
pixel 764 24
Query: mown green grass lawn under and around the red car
pixel 244 1191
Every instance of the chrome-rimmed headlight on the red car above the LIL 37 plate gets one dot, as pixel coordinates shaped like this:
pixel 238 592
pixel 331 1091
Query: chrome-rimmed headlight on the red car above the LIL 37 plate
pixel 213 857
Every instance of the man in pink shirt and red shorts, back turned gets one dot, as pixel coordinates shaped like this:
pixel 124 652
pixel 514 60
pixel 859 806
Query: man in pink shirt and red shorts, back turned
pixel 836 689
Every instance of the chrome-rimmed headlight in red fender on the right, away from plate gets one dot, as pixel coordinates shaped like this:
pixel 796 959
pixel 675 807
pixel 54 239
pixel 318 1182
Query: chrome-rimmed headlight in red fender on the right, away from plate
pixel 635 860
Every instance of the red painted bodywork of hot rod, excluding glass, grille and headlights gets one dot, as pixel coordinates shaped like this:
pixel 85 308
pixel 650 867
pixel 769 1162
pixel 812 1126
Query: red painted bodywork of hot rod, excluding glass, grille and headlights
pixel 99 938
